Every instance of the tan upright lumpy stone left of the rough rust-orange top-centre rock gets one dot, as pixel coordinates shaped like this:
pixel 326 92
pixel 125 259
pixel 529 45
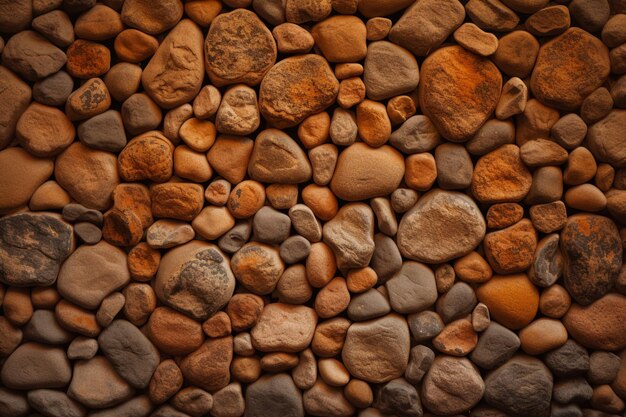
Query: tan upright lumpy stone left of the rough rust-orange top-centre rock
pixel 238 113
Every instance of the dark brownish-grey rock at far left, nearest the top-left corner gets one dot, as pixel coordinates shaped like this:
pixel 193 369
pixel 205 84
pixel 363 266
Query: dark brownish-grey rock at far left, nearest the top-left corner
pixel 31 56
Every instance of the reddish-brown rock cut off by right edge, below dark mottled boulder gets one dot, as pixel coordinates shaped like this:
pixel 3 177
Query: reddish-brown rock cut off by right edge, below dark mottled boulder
pixel 600 324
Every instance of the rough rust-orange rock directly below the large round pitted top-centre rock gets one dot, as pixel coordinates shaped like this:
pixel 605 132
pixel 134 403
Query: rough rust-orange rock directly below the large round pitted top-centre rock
pixel 280 98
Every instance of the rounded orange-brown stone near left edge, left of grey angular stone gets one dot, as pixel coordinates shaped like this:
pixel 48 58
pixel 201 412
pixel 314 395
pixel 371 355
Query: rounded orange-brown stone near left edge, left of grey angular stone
pixel 44 131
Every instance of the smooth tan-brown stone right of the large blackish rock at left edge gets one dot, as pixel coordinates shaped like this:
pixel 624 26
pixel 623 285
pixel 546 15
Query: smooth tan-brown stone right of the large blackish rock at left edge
pixel 91 273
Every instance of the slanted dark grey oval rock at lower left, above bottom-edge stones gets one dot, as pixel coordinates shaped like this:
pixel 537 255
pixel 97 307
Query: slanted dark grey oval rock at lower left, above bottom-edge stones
pixel 132 355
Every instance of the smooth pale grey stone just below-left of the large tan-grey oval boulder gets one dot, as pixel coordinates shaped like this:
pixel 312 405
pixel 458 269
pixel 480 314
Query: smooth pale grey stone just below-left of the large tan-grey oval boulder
pixel 412 289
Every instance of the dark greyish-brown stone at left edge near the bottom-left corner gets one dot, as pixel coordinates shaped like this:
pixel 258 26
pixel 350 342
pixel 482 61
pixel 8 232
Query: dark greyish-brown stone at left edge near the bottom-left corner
pixel 35 366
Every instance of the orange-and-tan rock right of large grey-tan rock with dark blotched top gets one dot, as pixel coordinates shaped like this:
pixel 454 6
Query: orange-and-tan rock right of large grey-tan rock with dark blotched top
pixel 258 267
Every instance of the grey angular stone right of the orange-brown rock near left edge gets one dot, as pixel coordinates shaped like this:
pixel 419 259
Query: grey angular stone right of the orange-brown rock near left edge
pixel 104 131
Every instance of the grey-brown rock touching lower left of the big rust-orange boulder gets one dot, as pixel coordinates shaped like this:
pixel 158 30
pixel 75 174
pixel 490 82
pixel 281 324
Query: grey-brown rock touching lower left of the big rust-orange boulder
pixel 417 134
